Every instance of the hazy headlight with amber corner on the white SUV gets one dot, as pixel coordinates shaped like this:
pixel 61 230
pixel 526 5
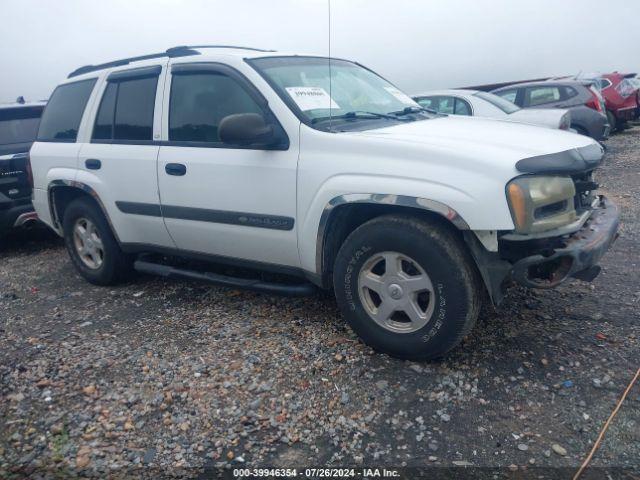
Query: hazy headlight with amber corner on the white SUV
pixel 538 204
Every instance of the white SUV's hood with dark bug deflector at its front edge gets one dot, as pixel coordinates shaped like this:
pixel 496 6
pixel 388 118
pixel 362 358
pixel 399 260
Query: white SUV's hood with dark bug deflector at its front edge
pixel 483 146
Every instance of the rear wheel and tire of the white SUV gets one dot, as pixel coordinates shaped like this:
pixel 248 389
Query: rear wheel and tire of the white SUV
pixel 113 265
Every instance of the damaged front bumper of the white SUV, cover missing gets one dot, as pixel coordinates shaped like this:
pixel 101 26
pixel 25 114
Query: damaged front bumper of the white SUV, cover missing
pixel 549 261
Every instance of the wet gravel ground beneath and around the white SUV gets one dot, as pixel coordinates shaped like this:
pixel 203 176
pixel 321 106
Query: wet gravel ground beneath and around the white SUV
pixel 178 376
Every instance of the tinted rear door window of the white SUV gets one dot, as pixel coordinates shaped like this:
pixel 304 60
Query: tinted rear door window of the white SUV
pixel 126 111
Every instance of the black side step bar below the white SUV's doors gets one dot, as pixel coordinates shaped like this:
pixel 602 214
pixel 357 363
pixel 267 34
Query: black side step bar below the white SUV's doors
pixel 291 290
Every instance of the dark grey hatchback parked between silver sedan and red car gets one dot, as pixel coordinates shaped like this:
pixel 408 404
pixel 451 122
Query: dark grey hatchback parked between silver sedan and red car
pixel 587 115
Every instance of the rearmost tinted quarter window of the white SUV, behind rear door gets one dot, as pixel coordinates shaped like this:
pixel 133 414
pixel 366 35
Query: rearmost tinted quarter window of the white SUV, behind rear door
pixel 62 116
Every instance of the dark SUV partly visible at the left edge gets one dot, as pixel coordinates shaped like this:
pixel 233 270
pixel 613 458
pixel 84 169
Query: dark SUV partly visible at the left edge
pixel 18 127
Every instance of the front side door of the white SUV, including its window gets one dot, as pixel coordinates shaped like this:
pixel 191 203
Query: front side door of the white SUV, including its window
pixel 238 203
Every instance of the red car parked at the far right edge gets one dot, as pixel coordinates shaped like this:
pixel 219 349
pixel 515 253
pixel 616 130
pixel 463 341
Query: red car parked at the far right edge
pixel 622 98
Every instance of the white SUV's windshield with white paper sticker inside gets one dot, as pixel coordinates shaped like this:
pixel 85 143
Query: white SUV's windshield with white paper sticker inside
pixel 344 92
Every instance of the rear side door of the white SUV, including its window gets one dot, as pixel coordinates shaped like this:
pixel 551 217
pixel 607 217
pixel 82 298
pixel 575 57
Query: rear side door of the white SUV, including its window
pixel 119 161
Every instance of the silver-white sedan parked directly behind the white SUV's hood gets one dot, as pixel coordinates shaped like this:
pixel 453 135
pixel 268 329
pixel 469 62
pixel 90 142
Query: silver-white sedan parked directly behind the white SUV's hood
pixel 484 104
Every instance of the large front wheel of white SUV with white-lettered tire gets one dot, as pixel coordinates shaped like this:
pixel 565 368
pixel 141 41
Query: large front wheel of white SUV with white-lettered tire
pixel 424 247
